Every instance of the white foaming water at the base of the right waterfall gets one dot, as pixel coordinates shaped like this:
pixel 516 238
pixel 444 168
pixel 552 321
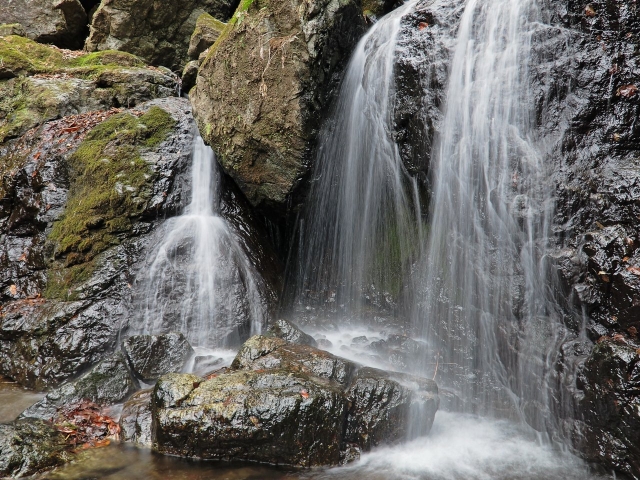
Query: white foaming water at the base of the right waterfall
pixel 465 447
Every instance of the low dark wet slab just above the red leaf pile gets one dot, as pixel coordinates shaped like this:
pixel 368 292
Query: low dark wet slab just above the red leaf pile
pixel 107 383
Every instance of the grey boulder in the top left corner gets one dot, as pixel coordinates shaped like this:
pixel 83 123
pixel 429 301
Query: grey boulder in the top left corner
pixel 61 22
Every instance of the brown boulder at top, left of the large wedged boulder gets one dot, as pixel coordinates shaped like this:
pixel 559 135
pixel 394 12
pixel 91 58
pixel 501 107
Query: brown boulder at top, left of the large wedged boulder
pixel 156 31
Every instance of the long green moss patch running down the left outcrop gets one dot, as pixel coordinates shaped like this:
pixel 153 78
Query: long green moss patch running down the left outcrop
pixel 110 186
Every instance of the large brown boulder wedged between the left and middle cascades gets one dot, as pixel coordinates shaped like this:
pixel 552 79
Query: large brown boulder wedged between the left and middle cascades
pixel 264 88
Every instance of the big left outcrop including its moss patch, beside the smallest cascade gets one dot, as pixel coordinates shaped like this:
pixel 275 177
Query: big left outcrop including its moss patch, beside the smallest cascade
pixel 65 287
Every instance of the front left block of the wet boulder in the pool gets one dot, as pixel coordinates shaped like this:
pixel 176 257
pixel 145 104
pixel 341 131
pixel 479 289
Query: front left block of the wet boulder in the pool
pixel 274 417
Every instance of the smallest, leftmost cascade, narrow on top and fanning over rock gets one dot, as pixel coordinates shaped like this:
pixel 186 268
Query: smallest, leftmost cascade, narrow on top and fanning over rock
pixel 199 279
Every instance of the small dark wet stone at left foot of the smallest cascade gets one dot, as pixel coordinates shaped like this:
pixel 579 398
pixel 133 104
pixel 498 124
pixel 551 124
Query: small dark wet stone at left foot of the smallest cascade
pixel 151 356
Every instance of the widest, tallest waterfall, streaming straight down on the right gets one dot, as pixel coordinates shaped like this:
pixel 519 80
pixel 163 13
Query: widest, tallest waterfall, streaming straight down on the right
pixel 486 311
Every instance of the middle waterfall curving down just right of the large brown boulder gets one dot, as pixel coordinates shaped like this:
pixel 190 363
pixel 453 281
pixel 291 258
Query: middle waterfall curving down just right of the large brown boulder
pixel 362 223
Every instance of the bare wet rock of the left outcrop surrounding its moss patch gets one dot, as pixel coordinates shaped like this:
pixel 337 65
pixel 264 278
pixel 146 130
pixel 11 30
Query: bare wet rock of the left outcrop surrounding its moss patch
pixel 49 334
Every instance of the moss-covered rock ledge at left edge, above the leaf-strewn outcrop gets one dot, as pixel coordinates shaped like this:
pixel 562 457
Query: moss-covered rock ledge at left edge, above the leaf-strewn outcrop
pixel 43 84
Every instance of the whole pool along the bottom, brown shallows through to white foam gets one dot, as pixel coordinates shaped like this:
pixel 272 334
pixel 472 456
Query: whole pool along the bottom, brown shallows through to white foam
pixel 459 447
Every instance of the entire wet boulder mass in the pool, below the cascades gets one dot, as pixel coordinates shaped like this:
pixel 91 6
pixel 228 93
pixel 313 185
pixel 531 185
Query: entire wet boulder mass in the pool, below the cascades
pixel 284 403
